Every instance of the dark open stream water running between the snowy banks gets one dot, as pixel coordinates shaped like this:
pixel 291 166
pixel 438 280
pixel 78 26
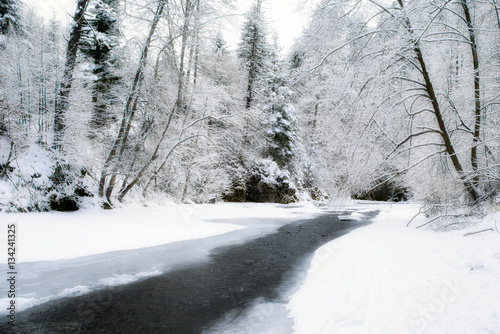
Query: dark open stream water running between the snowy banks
pixel 191 299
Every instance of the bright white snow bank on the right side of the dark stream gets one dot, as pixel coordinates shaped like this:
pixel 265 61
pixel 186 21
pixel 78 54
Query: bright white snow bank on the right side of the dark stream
pixel 386 278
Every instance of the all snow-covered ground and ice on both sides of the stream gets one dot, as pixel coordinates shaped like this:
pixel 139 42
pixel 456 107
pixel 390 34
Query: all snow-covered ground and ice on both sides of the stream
pixel 382 278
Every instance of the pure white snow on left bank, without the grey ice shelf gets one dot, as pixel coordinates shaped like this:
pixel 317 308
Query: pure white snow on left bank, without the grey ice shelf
pixel 55 236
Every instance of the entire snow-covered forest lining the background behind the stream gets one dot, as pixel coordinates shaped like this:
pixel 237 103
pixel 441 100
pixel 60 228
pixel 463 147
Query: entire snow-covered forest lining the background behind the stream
pixel 139 101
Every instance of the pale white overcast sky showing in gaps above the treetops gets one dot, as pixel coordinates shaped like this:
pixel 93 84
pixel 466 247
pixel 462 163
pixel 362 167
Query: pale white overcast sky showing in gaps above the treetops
pixel 283 15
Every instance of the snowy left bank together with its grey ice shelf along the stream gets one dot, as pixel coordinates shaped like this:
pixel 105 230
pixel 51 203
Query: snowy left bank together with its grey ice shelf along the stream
pixel 67 254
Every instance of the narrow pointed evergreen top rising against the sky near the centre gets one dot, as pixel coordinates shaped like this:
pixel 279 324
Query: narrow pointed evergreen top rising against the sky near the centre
pixel 254 51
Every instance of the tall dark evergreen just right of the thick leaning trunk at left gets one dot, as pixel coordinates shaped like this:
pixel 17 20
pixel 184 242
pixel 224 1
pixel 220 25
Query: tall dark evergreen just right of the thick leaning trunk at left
pixel 101 38
